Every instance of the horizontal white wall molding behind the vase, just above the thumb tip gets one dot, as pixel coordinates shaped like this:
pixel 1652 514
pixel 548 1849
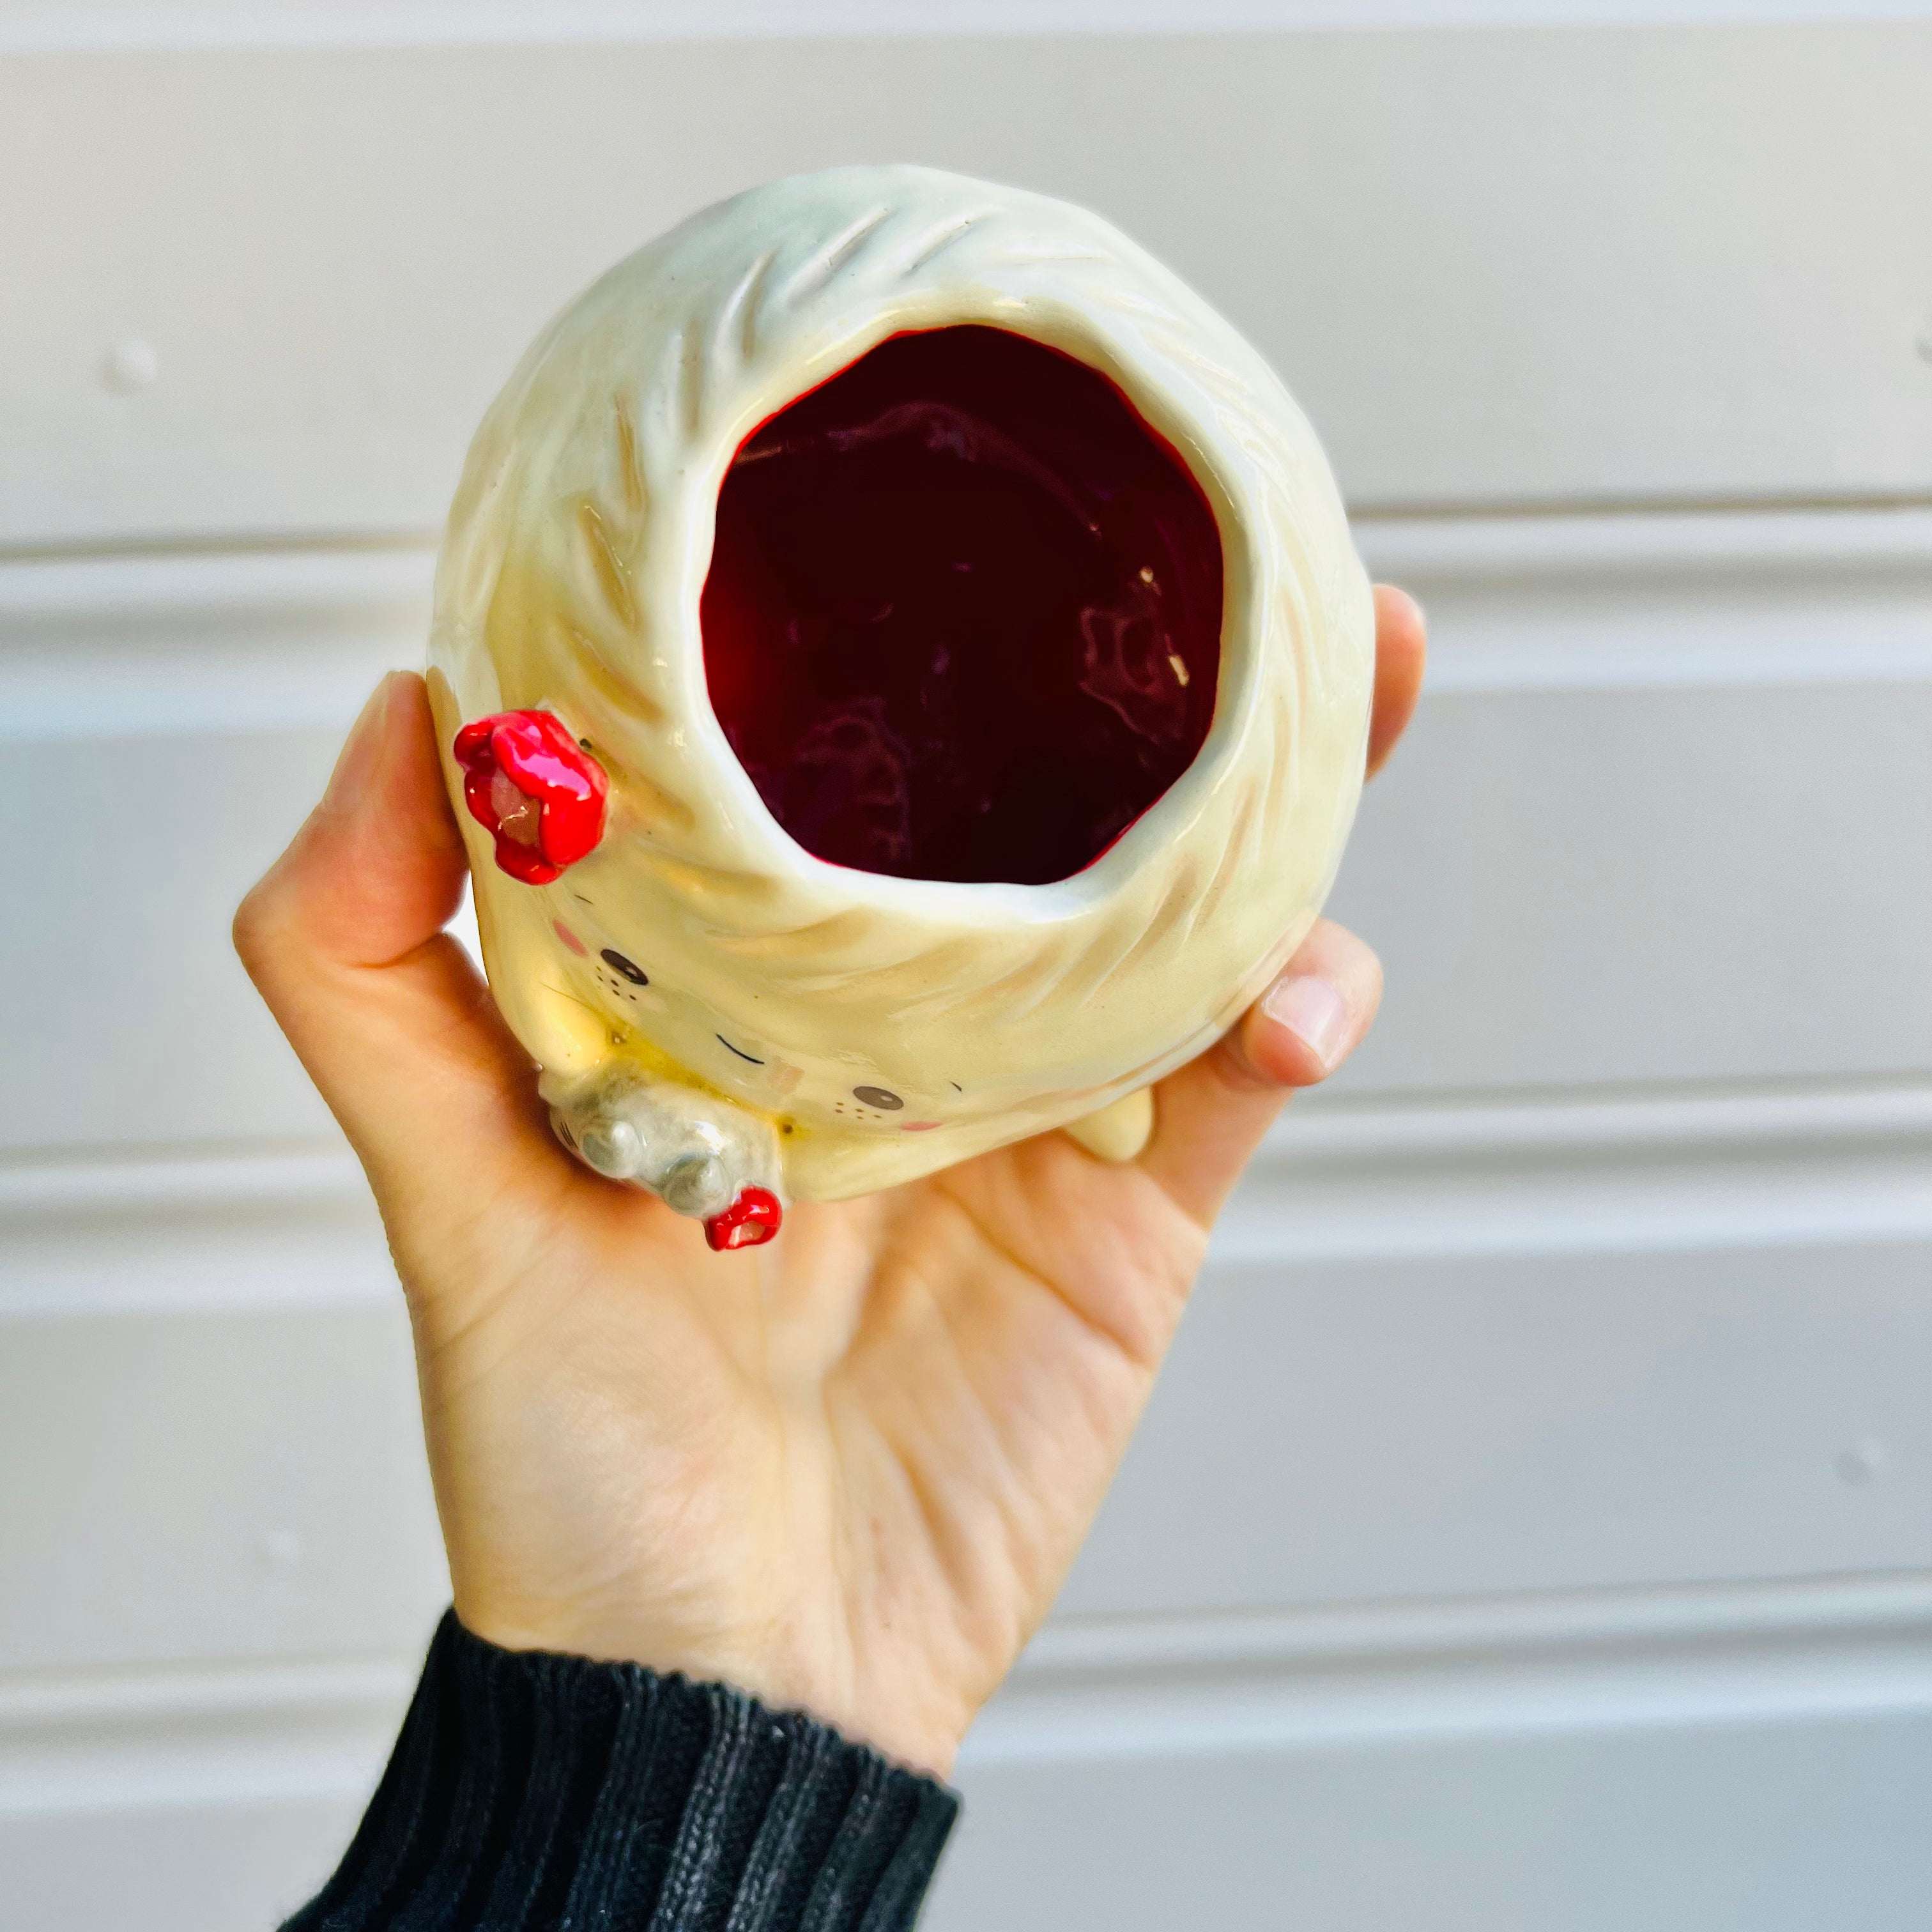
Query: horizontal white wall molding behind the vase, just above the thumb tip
pixel 262 639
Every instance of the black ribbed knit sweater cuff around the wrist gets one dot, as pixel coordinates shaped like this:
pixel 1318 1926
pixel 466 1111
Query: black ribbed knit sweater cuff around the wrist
pixel 534 1792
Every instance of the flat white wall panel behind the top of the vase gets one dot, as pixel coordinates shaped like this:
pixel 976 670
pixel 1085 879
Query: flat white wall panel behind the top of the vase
pixel 1502 268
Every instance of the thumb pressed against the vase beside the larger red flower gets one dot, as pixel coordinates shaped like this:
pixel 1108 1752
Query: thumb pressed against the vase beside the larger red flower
pixel 345 940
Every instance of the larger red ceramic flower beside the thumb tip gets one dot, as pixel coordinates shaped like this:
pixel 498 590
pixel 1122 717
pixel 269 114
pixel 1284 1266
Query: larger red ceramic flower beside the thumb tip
pixel 534 789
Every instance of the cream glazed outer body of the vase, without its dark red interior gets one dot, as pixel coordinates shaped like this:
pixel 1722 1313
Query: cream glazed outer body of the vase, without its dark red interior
pixel 720 1015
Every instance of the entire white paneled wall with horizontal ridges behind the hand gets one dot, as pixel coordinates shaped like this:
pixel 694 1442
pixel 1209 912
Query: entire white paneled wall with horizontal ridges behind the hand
pixel 1535 1527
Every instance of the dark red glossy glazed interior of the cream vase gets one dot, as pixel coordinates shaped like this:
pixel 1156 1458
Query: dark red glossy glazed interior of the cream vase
pixel 965 611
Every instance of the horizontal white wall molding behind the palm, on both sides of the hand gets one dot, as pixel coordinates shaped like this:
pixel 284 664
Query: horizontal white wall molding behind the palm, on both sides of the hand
pixel 1558 1174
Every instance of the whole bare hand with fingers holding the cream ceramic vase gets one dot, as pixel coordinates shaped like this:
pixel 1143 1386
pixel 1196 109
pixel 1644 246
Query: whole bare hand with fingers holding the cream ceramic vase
pixel 845 1471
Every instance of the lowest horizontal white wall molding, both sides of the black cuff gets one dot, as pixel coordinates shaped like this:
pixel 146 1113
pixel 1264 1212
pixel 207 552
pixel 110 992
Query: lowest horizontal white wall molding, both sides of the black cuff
pixel 1089 1690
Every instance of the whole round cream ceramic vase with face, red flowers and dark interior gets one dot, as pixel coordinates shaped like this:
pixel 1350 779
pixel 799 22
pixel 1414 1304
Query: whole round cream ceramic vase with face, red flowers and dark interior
pixel 903 675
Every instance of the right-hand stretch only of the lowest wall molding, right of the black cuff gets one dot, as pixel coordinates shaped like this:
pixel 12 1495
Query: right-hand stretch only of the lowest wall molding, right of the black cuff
pixel 1384 1672
